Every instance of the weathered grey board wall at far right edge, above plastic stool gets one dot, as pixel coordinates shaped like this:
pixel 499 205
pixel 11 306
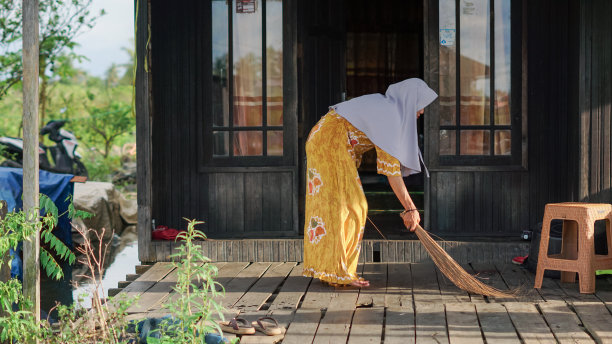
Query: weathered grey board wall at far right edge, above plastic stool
pixel 595 84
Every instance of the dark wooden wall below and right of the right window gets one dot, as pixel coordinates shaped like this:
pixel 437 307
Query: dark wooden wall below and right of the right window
pixel 504 201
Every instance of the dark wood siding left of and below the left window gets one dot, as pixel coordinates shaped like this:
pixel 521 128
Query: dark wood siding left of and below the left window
pixel 234 202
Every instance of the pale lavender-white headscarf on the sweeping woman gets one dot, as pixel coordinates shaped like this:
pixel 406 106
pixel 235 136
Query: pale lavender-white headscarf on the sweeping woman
pixel 389 120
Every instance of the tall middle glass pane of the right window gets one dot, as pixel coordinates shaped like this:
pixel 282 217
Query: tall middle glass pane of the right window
pixel 474 61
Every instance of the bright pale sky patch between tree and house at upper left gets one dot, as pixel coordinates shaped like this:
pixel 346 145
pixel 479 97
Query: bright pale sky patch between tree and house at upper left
pixel 102 44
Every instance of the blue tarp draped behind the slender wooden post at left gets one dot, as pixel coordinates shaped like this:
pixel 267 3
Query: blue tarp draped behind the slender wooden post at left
pixel 56 186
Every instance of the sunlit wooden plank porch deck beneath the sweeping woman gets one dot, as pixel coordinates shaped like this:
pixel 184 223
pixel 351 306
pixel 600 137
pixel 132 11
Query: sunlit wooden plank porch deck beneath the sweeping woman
pixel 406 303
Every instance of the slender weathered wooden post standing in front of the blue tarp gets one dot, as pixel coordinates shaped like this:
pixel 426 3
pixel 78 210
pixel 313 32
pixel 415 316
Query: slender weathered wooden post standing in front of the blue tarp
pixel 31 249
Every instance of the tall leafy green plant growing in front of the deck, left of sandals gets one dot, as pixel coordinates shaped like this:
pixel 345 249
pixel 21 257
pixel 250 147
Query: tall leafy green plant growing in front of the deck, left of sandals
pixel 196 309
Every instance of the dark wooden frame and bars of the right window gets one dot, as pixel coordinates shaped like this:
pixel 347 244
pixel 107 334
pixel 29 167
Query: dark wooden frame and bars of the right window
pixel 517 159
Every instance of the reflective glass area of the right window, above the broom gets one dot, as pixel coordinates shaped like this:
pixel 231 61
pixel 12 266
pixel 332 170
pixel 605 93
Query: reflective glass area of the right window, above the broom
pixel 475 77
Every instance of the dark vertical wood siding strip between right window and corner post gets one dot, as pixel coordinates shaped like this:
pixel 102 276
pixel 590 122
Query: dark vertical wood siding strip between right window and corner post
pixel 552 116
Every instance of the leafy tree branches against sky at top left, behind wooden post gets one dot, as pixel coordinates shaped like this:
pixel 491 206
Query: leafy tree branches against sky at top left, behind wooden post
pixel 61 21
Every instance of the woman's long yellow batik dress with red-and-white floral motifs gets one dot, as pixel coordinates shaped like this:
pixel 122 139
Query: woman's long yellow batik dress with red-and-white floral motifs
pixel 336 206
